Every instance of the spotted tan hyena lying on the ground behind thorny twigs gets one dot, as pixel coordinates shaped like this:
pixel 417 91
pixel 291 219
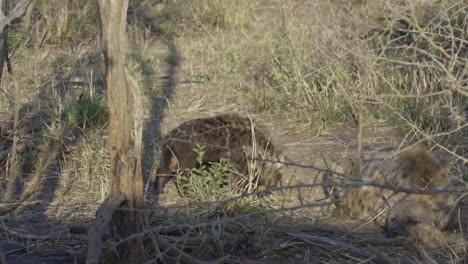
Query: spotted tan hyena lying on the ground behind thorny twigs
pixel 400 213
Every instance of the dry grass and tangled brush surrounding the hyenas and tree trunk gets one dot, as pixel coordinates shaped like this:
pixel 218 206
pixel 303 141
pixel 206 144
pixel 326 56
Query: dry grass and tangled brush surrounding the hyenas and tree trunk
pixel 302 66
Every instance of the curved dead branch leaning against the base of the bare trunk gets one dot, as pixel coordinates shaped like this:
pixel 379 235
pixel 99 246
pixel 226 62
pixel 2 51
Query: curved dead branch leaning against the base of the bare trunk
pixel 103 218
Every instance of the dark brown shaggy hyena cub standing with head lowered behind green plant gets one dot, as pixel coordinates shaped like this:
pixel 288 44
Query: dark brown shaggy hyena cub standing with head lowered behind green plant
pixel 229 136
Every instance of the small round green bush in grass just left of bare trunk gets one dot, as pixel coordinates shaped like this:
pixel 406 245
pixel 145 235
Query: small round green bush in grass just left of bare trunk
pixel 90 111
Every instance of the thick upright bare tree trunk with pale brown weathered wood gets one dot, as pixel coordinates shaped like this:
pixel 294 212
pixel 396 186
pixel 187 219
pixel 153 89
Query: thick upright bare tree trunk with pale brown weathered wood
pixel 125 146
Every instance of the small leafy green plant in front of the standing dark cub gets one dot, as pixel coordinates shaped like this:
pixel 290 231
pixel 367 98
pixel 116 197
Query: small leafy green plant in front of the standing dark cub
pixel 205 182
